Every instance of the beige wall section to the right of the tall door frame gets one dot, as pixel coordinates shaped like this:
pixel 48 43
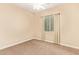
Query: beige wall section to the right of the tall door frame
pixel 70 28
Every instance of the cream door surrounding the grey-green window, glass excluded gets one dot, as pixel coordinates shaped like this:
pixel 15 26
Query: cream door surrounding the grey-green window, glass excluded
pixel 53 35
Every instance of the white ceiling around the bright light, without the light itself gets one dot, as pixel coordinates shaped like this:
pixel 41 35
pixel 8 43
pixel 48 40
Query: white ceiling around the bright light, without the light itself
pixel 29 6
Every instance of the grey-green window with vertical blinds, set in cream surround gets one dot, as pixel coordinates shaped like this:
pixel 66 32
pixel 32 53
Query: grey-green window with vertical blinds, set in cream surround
pixel 49 23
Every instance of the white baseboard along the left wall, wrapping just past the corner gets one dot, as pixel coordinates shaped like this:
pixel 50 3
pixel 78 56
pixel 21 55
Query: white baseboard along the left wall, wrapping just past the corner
pixel 19 41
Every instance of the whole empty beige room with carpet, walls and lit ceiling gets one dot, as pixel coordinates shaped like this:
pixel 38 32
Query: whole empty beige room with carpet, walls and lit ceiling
pixel 39 28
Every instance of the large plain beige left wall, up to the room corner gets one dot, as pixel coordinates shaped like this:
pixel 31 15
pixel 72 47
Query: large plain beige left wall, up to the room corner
pixel 16 25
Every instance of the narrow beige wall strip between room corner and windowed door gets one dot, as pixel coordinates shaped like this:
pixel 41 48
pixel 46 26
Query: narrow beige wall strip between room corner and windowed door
pixel 37 27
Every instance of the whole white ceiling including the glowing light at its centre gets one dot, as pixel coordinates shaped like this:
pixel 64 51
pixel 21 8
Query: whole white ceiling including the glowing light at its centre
pixel 30 6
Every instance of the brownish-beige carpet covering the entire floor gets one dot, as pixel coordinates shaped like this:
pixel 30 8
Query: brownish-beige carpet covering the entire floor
pixel 37 47
